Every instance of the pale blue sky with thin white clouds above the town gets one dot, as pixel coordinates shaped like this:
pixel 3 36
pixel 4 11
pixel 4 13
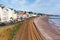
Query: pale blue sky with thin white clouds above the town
pixel 38 6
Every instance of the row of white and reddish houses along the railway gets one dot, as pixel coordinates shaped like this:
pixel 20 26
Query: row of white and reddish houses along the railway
pixel 9 14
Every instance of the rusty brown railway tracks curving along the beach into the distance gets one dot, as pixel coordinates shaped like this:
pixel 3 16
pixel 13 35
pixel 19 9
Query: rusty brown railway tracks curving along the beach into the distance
pixel 28 31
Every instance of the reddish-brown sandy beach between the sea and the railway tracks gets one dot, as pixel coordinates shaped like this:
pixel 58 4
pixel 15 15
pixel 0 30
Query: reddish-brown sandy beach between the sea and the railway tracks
pixel 48 30
